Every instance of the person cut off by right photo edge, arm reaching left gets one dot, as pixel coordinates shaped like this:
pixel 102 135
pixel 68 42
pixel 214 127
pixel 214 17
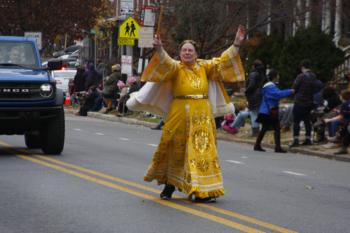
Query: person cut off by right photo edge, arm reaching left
pixel 344 117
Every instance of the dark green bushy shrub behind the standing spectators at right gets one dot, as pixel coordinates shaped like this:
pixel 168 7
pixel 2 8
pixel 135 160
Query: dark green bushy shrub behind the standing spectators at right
pixel 285 56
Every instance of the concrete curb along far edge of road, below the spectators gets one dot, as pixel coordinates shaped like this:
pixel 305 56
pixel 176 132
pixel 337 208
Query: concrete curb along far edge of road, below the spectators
pixel 220 136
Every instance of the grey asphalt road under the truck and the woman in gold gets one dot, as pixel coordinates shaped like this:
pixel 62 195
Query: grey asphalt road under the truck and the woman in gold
pixel 96 186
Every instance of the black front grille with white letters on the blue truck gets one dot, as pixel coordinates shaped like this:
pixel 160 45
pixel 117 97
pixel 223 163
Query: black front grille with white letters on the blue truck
pixel 20 91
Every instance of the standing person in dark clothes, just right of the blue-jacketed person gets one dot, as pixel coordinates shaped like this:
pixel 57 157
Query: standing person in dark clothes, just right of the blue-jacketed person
pixel 306 85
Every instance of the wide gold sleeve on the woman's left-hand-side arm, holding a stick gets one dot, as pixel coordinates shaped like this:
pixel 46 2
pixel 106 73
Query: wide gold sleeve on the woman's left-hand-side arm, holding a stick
pixel 161 68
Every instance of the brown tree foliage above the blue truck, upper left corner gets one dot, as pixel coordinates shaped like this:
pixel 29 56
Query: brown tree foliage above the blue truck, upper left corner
pixel 50 17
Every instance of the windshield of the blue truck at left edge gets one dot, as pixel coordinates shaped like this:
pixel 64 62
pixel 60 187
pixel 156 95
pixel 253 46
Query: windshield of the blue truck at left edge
pixel 18 53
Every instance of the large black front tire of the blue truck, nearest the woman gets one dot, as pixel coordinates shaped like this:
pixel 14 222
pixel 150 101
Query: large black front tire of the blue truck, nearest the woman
pixel 52 134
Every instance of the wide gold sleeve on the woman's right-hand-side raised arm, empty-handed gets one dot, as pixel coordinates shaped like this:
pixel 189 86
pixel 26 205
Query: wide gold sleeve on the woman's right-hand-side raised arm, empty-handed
pixel 228 67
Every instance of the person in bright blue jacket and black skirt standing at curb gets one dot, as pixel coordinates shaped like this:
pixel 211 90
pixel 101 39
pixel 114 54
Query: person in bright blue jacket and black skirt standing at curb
pixel 268 111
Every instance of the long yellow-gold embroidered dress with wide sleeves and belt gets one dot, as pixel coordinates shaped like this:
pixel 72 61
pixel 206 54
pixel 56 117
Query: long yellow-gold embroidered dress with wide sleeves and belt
pixel 186 156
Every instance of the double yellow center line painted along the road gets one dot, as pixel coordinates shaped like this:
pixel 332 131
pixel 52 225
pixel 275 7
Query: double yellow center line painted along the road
pixel 38 159
